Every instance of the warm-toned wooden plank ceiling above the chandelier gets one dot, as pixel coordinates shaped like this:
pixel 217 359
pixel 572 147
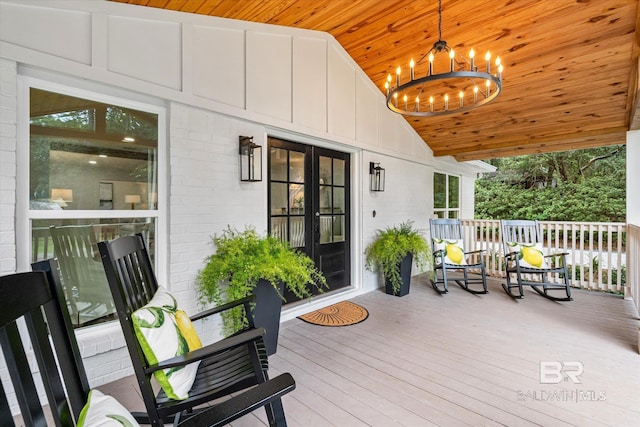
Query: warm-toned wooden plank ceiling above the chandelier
pixel 571 66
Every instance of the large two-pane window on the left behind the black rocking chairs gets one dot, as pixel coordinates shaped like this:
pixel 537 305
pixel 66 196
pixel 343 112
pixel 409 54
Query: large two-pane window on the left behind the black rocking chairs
pixel 93 176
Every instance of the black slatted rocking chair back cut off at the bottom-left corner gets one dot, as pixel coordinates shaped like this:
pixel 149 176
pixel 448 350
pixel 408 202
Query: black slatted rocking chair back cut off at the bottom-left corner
pixel 38 298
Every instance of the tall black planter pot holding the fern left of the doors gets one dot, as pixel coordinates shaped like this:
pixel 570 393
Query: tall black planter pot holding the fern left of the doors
pixel 267 312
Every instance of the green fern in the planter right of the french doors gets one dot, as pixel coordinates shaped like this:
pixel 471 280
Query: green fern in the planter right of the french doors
pixel 391 245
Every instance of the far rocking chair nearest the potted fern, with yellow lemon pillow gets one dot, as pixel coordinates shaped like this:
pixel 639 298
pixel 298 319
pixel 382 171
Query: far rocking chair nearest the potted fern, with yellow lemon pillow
pixel 450 230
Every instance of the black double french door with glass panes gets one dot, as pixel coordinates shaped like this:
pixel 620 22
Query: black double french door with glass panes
pixel 309 205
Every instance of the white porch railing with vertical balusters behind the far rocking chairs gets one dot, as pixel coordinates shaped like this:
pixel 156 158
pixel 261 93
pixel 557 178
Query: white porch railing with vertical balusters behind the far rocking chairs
pixel 596 260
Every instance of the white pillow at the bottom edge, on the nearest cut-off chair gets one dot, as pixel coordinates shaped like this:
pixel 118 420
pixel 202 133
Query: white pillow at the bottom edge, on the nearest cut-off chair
pixel 104 411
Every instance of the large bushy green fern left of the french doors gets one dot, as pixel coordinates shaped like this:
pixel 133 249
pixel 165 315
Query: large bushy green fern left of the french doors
pixel 241 259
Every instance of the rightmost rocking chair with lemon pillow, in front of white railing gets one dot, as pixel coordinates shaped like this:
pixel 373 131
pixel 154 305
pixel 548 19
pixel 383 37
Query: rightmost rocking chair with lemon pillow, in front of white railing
pixel 522 244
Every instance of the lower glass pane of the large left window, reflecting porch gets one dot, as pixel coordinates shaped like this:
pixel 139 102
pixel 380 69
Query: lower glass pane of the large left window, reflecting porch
pixel 74 243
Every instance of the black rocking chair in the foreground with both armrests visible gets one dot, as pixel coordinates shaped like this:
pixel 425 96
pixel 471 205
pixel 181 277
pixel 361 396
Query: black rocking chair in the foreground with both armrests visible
pixel 228 366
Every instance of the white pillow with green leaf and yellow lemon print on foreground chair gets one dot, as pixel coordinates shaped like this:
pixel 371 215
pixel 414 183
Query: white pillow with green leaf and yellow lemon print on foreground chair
pixel 163 332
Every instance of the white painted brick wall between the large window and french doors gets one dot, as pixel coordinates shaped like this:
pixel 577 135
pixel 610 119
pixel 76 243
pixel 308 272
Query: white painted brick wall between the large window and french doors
pixel 206 196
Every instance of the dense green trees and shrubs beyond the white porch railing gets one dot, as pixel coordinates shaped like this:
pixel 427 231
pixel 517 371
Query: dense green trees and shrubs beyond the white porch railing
pixel 581 185
